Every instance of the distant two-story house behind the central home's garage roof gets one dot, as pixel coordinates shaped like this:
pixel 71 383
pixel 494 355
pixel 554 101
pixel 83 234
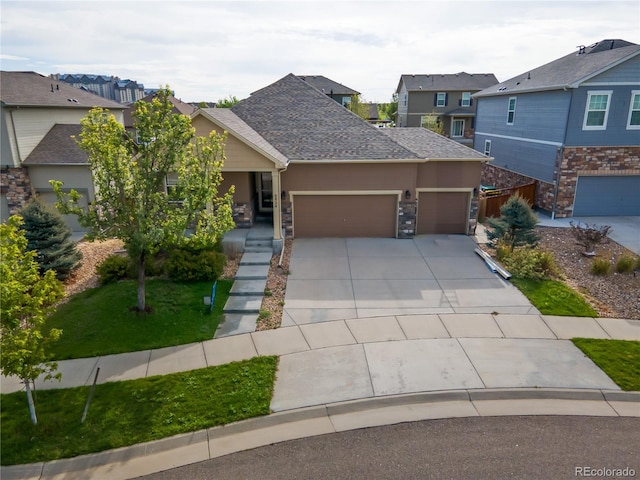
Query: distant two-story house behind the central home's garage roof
pixel 441 99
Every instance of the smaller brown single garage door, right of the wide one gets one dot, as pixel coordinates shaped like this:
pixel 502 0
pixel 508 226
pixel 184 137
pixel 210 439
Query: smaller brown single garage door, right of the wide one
pixel 442 212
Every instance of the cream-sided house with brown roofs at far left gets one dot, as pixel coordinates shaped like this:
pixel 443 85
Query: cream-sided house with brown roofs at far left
pixel 39 116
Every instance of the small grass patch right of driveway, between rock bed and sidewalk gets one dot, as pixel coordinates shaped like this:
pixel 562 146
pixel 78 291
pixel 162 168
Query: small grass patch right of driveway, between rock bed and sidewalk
pixel 551 297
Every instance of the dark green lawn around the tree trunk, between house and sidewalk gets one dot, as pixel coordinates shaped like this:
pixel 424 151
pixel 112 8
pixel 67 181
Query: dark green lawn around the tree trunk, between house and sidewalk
pixel 100 321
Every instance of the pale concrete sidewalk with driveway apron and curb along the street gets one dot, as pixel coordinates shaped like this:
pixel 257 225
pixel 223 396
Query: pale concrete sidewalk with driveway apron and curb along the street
pixel 347 374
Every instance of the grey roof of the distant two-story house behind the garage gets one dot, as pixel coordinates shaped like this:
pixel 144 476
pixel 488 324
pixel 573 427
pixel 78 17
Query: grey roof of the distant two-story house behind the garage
pixel 447 82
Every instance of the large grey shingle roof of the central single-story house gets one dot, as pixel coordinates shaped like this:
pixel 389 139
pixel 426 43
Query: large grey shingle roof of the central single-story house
pixel 303 124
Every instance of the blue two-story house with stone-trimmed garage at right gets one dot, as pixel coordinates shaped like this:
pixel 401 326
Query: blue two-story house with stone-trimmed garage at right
pixel 574 126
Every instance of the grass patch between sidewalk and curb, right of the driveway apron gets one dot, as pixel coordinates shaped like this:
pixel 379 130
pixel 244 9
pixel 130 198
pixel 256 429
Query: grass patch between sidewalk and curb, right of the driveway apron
pixel 620 359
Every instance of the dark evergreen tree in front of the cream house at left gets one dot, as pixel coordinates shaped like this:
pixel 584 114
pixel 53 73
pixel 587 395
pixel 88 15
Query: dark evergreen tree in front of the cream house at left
pixel 49 236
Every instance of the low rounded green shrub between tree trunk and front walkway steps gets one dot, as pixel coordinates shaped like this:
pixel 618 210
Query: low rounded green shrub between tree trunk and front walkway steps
pixel 191 265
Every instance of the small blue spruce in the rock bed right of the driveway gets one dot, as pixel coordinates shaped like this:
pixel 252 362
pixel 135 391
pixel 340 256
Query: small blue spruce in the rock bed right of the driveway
pixel 515 225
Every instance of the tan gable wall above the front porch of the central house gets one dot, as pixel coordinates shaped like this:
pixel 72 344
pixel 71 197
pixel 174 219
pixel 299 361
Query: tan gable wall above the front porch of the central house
pixel 239 156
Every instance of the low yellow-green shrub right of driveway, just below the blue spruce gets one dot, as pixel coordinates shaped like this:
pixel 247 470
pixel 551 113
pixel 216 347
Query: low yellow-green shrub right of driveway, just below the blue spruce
pixel 525 262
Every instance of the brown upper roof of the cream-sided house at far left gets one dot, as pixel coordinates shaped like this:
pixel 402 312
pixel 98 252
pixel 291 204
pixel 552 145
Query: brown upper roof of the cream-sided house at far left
pixel 30 89
